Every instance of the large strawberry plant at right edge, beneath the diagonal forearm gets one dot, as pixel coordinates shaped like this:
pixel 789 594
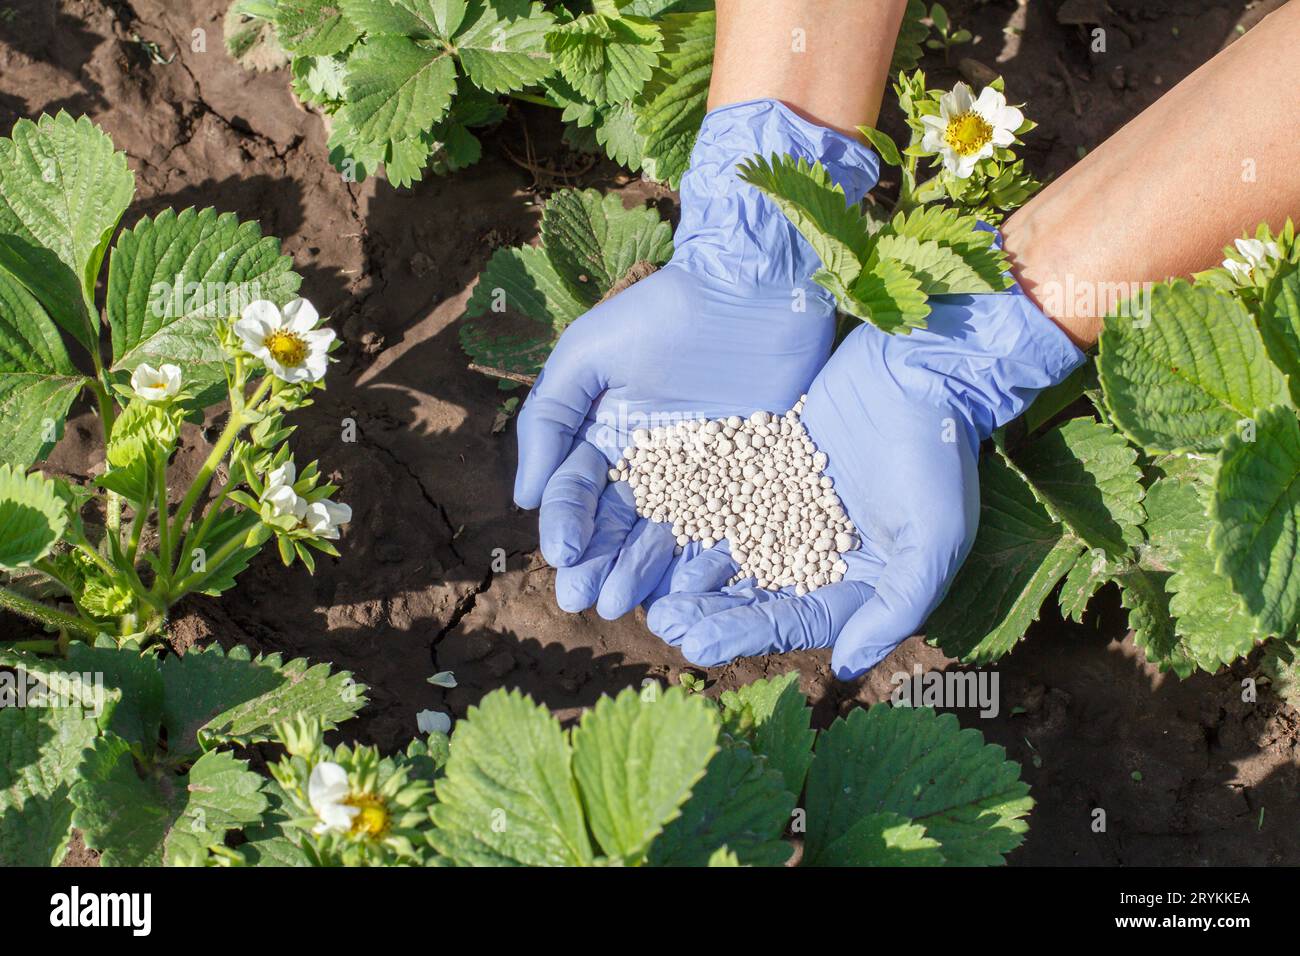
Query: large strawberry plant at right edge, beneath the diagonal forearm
pixel 1181 491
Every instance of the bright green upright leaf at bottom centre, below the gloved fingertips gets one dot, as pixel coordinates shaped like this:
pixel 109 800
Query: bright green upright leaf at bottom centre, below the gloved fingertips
pixel 636 763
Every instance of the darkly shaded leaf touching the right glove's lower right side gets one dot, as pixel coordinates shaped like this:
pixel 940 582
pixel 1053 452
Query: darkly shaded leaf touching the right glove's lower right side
pixel 1019 556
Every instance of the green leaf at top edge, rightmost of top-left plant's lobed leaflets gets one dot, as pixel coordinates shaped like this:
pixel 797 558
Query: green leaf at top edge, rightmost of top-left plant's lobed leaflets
pixel 502 45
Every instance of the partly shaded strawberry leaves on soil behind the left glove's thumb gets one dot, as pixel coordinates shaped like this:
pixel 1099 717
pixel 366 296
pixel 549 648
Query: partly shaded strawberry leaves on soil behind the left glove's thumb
pixel 591 249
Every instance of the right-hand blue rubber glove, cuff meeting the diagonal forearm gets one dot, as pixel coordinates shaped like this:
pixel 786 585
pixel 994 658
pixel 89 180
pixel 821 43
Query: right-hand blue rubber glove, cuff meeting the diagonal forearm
pixel 900 419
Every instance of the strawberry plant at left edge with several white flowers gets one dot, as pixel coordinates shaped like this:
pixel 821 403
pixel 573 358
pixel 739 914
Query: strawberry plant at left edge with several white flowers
pixel 201 309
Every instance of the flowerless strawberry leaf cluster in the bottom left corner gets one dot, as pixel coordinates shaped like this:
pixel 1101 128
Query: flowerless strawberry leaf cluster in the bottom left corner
pixel 140 763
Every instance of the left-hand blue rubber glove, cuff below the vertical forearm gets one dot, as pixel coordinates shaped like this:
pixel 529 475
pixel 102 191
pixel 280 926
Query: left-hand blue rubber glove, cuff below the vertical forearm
pixel 730 326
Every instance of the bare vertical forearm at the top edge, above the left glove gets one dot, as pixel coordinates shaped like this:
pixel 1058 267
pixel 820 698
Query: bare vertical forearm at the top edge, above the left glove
pixel 827 60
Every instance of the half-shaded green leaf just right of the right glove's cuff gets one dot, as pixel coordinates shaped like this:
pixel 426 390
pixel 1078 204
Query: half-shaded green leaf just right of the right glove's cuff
pixel 1087 475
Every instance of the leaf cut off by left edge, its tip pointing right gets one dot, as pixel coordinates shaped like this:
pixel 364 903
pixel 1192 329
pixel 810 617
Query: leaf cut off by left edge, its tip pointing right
pixel 38 382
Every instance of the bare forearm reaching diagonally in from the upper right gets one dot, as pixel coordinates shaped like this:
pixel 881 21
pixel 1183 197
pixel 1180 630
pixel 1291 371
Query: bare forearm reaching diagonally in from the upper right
pixel 1163 196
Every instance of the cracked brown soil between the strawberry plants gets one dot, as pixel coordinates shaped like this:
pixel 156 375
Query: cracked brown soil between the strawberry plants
pixel 431 482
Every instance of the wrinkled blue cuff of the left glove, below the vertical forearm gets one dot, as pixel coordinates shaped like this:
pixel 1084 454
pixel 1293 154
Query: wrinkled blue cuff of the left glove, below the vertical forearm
pixel 731 231
